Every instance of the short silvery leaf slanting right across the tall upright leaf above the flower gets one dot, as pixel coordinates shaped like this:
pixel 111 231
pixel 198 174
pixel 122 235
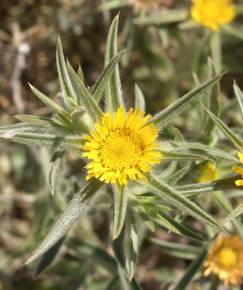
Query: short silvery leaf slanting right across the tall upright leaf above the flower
pixel 105 77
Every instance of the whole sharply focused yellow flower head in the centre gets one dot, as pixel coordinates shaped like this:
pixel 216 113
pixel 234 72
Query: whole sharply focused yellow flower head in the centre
pixel 121 147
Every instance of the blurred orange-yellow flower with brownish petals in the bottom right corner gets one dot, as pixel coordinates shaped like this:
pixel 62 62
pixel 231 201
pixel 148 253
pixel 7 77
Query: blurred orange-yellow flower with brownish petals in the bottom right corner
pixel 225 260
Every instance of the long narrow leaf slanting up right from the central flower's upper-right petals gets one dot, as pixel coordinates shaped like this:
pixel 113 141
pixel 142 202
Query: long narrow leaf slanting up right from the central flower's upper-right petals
pixel 162 118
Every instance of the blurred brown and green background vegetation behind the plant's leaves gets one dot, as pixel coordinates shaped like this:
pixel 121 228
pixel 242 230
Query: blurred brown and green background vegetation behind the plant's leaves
pixel 162 60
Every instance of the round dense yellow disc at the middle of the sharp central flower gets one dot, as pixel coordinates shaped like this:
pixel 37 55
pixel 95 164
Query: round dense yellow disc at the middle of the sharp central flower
pixel 121 150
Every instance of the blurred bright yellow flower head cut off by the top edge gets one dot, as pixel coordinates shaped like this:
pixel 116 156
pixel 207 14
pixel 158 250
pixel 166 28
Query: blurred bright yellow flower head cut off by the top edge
pixel 213 13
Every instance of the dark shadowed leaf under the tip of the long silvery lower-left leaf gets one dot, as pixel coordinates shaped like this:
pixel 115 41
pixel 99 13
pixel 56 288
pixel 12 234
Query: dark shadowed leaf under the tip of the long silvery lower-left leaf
pixel 48 257
